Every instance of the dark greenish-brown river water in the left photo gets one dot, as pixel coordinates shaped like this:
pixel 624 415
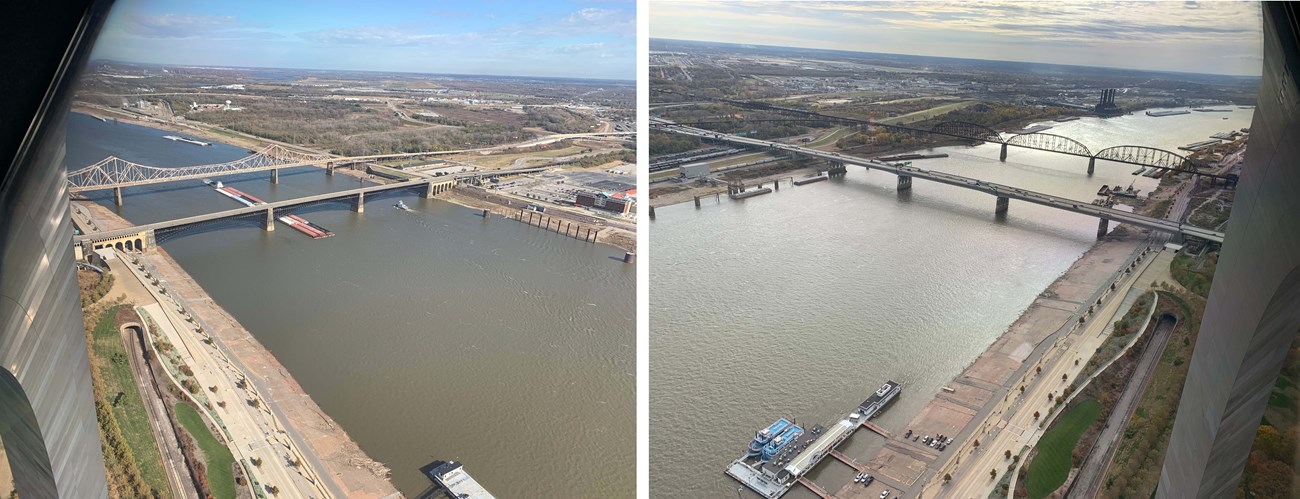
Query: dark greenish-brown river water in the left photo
pixel 427 335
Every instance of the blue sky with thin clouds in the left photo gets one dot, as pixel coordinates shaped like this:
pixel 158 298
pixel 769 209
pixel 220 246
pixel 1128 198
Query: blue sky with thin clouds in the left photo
pixel 554 38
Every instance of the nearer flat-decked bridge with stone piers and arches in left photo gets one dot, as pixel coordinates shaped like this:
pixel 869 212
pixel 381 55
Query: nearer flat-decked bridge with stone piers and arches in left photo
pixel 145 237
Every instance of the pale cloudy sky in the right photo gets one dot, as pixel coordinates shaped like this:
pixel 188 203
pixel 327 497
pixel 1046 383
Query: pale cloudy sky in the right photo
pixel 1207 37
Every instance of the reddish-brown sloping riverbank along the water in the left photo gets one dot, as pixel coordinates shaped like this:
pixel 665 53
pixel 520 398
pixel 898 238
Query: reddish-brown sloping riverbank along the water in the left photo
pixel 356 474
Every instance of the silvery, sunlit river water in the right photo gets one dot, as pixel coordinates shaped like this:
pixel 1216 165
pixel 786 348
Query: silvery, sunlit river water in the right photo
pixel 801 303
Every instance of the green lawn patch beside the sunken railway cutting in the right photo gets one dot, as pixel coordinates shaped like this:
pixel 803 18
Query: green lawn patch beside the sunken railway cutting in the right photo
pixel 1052 465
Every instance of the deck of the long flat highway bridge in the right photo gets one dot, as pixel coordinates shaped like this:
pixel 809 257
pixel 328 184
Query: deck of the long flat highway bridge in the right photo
pixel 987 188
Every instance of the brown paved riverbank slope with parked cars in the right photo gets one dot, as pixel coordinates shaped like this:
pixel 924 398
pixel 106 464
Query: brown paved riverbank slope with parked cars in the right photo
pixel 974 389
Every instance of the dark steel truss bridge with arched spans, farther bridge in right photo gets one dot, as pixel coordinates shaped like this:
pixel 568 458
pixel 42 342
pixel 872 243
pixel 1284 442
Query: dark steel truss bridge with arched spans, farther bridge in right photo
pixel 1133 155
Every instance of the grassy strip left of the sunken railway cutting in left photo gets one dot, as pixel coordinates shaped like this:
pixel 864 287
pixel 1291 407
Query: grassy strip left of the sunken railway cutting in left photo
pixel 111 361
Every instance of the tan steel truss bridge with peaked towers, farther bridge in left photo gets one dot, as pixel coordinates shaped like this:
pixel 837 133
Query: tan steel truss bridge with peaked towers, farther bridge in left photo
pixel 116 173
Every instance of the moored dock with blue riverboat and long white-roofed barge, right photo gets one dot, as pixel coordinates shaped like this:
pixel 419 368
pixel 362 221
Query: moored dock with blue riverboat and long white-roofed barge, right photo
pixel 783 453
